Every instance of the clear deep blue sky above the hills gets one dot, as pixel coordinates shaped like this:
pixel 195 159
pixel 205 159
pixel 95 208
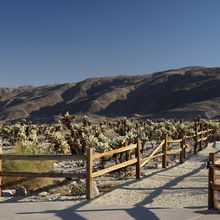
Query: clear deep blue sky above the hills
pixel 56 41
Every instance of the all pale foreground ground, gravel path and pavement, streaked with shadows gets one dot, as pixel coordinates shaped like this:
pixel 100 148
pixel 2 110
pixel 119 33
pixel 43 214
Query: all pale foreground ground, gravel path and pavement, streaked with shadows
pixel 181 189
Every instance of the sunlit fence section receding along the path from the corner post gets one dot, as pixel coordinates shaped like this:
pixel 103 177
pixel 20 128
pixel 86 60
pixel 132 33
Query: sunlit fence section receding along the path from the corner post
pixel 202 137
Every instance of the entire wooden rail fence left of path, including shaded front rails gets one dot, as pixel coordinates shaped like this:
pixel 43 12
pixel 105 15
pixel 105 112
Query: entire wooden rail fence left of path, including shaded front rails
pixel 160 151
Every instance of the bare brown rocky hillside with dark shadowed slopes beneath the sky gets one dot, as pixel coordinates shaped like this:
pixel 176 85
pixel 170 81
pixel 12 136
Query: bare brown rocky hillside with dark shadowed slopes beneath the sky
pixel 179 93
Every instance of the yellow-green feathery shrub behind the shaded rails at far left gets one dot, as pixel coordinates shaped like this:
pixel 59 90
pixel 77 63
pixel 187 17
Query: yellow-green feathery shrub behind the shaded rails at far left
pixel 27 148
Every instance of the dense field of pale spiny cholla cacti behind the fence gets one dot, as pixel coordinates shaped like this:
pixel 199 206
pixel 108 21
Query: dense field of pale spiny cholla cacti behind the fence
pixel 68 137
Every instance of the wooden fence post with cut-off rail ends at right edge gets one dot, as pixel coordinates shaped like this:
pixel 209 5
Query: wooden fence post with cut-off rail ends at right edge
pixel 213 165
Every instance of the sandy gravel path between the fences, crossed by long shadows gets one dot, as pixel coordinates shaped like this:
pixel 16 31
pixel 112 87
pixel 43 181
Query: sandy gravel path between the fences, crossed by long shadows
pixel 179 186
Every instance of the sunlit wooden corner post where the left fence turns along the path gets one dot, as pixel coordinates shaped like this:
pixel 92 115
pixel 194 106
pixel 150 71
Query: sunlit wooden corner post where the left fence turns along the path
pixel 89 178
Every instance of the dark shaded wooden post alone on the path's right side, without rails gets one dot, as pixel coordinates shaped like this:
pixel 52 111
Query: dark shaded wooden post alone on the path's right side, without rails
pixel 211 179
